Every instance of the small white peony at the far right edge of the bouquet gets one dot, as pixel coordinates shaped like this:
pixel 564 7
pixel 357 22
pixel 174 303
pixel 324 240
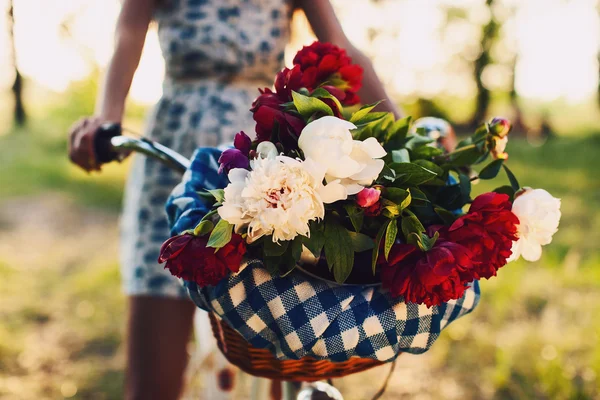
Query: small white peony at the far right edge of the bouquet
pixel 539 215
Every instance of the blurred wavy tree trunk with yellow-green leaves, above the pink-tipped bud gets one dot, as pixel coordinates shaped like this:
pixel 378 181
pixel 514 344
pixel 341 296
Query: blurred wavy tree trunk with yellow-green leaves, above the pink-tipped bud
pixel 489 36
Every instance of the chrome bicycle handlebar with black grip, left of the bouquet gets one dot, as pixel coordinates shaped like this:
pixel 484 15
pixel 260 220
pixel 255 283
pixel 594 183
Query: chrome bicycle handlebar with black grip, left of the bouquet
pixel 109 144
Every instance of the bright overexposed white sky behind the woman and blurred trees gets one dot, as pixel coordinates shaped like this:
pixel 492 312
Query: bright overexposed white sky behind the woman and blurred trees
pixel 416 51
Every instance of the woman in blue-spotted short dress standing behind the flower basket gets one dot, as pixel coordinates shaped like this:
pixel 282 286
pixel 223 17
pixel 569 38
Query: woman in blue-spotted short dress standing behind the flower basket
pixel 217 54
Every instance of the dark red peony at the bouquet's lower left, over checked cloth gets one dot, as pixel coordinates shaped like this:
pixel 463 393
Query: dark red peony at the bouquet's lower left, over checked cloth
pixel 188 257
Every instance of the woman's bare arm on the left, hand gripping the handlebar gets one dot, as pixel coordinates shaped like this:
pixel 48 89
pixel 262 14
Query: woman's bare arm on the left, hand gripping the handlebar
pixel 130 35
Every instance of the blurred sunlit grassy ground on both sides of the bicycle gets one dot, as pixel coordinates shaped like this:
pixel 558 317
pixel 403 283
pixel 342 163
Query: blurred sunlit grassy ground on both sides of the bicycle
pixel 534 334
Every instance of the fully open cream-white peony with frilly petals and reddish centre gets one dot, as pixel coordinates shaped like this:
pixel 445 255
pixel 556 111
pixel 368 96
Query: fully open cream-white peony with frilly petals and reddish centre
pixel 278 197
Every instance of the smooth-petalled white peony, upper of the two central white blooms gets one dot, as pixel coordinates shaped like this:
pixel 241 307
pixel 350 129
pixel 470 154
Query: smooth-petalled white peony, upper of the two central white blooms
pixel 349 164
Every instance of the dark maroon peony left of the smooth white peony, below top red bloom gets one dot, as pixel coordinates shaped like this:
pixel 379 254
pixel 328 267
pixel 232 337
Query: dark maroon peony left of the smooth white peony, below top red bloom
pixel 268 112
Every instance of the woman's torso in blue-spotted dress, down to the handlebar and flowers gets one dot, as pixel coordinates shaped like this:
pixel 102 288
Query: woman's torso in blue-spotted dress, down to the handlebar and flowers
pixel 217 54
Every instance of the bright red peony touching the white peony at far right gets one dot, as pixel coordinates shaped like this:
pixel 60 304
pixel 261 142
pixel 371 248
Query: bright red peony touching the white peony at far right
pixel 488 231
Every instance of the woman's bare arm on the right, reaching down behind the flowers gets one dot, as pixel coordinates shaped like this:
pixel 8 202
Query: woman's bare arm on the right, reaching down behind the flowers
pixel 327 28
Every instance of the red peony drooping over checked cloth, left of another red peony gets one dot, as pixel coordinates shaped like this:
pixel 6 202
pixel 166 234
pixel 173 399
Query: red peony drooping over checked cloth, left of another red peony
pixel 431 277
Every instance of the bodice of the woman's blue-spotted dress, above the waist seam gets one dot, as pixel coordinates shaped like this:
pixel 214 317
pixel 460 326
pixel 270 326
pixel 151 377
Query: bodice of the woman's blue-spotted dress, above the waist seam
pixel 228 40
